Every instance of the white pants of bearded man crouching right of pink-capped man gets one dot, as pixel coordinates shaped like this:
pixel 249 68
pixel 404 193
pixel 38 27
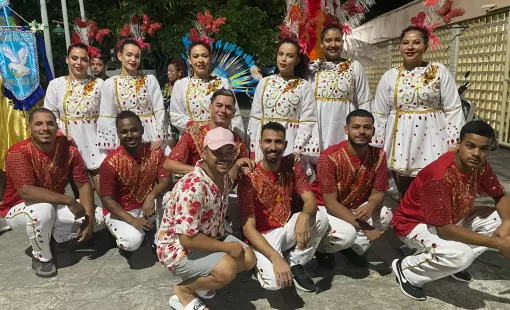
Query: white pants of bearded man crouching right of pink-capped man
pixel 281 239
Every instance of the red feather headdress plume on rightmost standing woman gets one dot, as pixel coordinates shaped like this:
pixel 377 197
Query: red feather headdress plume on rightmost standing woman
pixel 436 13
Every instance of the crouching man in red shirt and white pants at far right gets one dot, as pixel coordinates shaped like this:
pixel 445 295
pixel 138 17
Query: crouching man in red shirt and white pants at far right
pixel 437 217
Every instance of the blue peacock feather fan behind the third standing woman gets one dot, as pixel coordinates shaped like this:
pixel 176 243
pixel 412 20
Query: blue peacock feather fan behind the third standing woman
pixel 231 62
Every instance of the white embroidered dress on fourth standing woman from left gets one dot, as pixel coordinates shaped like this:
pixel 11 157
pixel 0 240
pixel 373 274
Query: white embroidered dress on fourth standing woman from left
pixel 290 103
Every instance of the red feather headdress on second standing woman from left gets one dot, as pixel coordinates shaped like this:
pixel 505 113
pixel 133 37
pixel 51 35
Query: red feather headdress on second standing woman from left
pixel 137 30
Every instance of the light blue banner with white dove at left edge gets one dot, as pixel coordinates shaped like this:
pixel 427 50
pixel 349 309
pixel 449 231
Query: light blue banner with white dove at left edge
pixel 19 66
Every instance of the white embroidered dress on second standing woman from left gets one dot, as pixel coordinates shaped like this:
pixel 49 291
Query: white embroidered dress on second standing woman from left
pixel 139 94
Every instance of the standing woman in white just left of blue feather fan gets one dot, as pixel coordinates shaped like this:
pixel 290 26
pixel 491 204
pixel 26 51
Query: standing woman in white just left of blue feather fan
pixel 191 96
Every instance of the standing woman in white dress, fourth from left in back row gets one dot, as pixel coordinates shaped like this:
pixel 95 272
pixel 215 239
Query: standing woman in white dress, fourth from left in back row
pixel 286 98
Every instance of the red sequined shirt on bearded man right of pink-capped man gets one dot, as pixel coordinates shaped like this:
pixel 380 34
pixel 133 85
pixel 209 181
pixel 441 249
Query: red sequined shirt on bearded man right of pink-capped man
pixel 263 194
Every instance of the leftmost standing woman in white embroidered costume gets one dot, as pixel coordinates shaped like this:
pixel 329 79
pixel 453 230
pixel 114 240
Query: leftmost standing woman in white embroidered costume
pixel 75 101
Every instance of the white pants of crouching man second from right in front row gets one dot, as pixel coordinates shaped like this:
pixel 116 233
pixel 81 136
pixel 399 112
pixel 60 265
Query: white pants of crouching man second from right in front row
pixel 342 235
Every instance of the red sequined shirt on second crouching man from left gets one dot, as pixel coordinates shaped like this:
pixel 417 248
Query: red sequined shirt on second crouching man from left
pixel 127 179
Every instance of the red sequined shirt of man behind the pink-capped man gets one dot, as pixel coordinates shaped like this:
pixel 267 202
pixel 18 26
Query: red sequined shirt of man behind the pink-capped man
pixel 190 148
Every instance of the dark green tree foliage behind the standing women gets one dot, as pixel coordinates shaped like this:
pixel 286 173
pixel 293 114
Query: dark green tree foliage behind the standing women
pixel 252 24
